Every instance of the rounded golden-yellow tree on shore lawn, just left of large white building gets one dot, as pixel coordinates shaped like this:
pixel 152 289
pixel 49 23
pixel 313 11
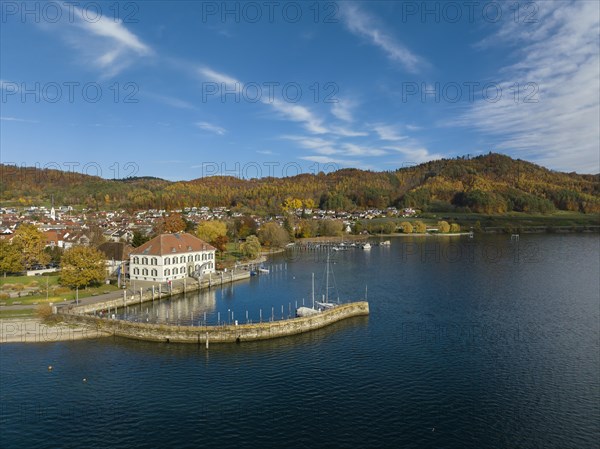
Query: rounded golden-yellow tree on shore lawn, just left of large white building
pixel 82 266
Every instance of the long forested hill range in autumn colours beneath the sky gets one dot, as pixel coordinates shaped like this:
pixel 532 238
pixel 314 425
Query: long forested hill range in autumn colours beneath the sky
pixel 492 184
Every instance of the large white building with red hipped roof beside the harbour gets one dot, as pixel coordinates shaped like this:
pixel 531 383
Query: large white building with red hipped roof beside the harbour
pixel 171 256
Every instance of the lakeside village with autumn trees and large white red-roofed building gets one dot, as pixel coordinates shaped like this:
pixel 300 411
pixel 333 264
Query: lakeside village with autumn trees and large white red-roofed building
pixel 168 245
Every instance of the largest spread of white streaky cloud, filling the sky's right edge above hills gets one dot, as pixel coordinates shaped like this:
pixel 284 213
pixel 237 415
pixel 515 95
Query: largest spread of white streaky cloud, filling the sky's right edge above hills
pixel 555 120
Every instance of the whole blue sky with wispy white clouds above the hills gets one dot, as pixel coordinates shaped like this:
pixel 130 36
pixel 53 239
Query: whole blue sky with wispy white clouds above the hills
pixel 183 90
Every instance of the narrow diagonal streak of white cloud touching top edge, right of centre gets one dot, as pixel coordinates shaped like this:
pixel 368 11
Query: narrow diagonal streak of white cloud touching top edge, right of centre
pixel 363 24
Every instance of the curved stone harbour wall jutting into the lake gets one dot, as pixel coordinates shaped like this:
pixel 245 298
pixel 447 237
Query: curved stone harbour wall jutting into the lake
pixel 220 334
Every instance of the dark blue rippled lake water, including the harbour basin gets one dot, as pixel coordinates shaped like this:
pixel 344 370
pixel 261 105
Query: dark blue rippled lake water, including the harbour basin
pixel 482 343
